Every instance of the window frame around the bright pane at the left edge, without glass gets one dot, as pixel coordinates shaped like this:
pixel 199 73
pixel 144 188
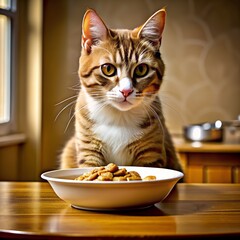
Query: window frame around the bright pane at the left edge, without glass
pixel 10 126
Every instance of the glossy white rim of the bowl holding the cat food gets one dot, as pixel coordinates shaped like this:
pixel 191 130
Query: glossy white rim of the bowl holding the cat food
pixel 45 176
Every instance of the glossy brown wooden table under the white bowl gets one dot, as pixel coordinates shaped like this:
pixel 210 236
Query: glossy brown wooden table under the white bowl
pixel 33 211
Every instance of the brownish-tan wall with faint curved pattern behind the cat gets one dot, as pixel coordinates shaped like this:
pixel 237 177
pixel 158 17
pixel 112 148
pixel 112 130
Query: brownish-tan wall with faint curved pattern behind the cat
pixel 200 48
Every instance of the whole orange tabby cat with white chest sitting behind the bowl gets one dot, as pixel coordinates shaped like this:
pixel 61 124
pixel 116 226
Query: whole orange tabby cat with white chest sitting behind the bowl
pixel 118 114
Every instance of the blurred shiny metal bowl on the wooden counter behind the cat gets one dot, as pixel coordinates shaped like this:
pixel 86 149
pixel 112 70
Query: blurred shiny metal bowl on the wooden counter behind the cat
pixel 204 132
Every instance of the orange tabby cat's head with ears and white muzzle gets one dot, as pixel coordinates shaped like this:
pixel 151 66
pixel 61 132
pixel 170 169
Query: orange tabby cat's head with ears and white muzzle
pixel 121 68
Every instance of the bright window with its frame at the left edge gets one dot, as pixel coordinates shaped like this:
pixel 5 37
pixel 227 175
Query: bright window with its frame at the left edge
pixel 7 22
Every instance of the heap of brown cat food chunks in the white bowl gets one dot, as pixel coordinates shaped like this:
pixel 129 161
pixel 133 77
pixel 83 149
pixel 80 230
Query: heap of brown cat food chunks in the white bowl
pixel 112 172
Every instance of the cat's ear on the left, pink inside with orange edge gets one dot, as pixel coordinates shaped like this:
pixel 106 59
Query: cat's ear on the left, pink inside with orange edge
pixel 93 30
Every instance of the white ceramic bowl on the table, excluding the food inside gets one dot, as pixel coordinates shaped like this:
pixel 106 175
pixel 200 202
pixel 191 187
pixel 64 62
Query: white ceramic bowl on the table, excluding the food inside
pixel 92 195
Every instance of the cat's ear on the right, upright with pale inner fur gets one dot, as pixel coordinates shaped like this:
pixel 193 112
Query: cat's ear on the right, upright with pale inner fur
pixel 152 29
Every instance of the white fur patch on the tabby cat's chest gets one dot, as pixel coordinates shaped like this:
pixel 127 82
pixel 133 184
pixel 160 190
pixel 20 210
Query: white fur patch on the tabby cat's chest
pixel 116 129
